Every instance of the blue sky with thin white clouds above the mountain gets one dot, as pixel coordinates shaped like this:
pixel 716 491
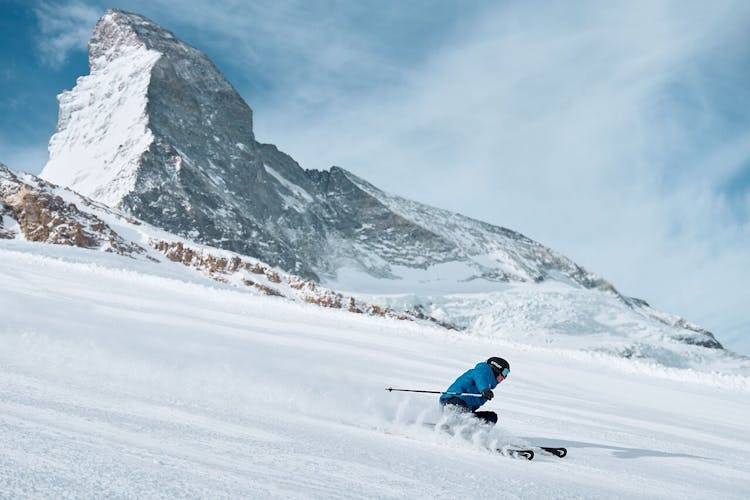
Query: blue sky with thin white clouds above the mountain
pixel 617 133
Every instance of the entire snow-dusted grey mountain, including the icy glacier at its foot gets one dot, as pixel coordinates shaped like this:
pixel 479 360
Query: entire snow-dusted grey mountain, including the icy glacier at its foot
pixel 156 131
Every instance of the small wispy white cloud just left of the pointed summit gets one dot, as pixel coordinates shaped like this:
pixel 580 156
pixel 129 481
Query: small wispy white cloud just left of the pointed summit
pixel 64 27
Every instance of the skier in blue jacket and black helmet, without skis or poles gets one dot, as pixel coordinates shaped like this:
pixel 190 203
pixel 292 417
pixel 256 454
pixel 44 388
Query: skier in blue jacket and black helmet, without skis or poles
pixel 479 380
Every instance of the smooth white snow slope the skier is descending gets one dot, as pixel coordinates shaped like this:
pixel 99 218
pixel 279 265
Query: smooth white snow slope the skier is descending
pixel 127 379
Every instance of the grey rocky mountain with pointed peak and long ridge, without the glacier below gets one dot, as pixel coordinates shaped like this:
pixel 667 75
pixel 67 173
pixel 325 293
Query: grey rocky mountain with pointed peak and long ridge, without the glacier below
pixel 157 131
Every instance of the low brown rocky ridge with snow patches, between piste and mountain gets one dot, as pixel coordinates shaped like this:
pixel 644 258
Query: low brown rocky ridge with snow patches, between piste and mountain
pixel 32 209
